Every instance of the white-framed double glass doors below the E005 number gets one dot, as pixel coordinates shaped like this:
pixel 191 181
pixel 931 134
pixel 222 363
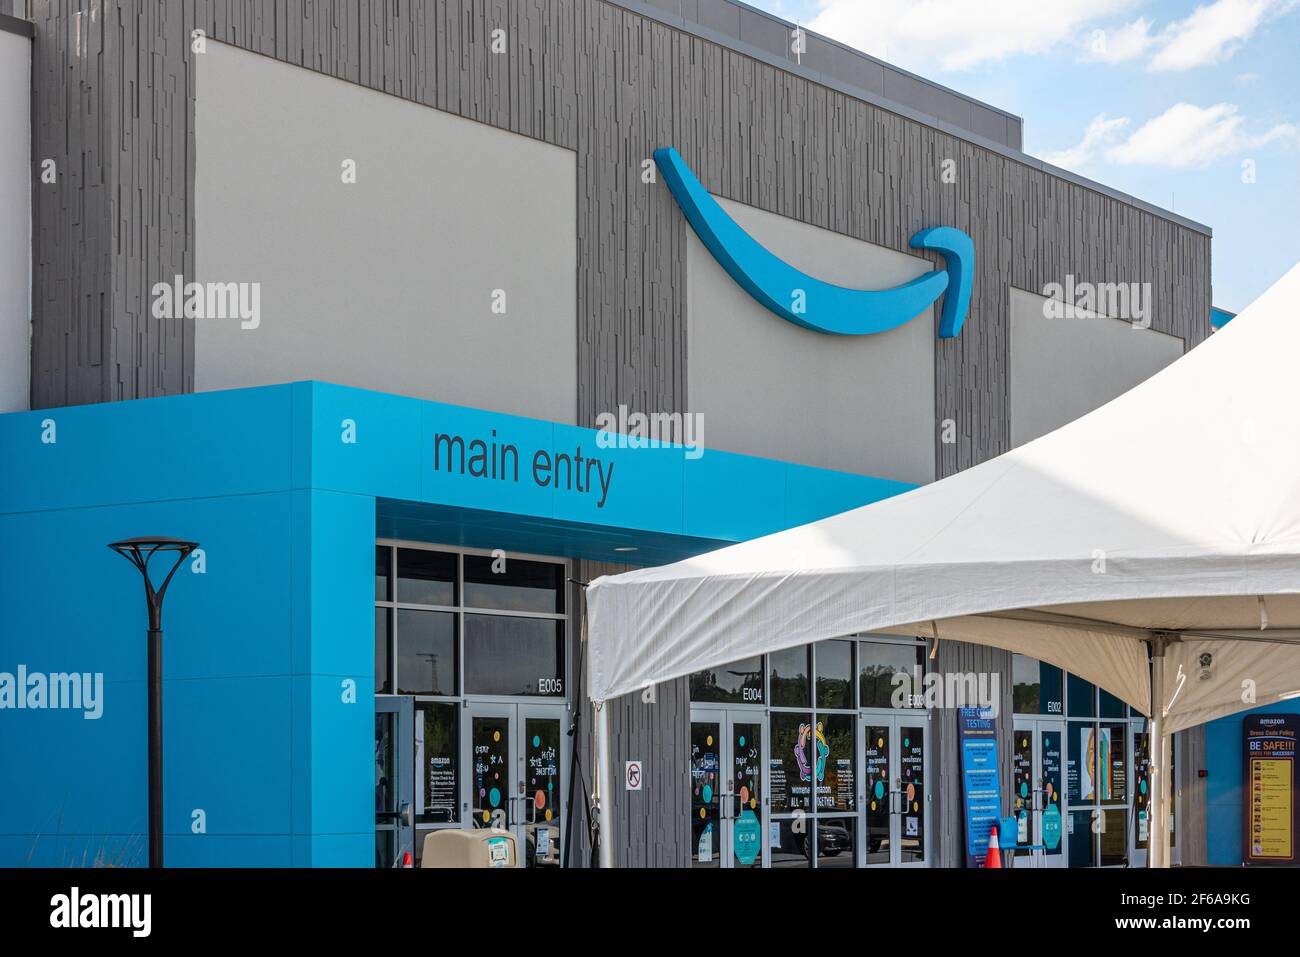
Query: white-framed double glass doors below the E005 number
pixel 518 756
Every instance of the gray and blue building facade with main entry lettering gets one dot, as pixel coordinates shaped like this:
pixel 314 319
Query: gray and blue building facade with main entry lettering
pixel 370 279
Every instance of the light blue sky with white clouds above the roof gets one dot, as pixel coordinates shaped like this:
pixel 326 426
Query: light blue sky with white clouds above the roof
pixel 1194 107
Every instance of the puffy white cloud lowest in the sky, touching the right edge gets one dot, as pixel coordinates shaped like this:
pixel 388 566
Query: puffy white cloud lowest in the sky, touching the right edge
pixel 1188 136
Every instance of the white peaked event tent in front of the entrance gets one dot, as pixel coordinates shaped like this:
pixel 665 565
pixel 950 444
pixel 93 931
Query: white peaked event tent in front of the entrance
pixel 1151 547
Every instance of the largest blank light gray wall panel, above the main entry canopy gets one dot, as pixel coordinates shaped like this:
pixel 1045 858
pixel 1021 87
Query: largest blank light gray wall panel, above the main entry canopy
pixel 388 283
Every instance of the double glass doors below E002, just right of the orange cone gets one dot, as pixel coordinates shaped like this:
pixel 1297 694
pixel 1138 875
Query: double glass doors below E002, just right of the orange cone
pixel 1037 803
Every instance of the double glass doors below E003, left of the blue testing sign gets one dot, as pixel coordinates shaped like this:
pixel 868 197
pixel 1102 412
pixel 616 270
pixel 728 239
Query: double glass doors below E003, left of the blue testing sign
pixel 896 799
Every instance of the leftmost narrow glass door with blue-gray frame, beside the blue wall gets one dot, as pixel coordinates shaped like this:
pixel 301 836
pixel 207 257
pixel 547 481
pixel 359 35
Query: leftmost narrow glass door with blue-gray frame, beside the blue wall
pixel 395 781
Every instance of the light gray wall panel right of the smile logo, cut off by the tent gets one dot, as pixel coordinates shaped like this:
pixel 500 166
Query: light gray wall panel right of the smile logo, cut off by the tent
pixel 1064 367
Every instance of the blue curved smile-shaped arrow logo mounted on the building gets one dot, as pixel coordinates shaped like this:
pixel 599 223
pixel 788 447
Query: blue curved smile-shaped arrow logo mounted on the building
pixel 809 302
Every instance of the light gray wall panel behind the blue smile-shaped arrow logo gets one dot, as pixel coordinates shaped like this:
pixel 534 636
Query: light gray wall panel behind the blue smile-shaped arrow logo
pixel 766 387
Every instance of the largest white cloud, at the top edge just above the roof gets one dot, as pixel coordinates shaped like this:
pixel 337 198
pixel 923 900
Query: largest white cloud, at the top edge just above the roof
pixel 922 36
